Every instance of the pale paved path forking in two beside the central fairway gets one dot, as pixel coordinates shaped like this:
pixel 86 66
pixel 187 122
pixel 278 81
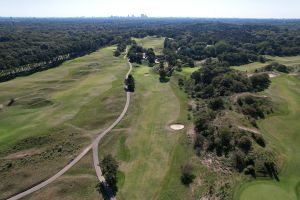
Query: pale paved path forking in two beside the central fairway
pixel 94 145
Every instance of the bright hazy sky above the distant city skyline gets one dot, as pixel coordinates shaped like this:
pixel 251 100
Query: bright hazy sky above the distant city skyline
pixel 153 8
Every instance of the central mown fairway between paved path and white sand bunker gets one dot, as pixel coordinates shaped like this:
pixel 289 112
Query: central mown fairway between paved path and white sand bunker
pixel 143 143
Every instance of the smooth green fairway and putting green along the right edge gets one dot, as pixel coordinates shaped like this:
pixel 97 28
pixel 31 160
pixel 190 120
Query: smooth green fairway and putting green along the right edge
pixel 282 132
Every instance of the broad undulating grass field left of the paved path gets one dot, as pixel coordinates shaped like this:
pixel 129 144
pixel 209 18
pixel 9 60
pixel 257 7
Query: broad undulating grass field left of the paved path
pixel 55 114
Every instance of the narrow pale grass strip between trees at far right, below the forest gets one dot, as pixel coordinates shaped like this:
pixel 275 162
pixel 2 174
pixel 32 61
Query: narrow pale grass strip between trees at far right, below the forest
pixel 288 61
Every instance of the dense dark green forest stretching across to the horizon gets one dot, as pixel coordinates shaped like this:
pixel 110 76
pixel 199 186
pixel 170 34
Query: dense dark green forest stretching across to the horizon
pixel 30 45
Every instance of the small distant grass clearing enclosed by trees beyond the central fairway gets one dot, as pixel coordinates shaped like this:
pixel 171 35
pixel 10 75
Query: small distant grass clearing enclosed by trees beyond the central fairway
pixel 156 43
